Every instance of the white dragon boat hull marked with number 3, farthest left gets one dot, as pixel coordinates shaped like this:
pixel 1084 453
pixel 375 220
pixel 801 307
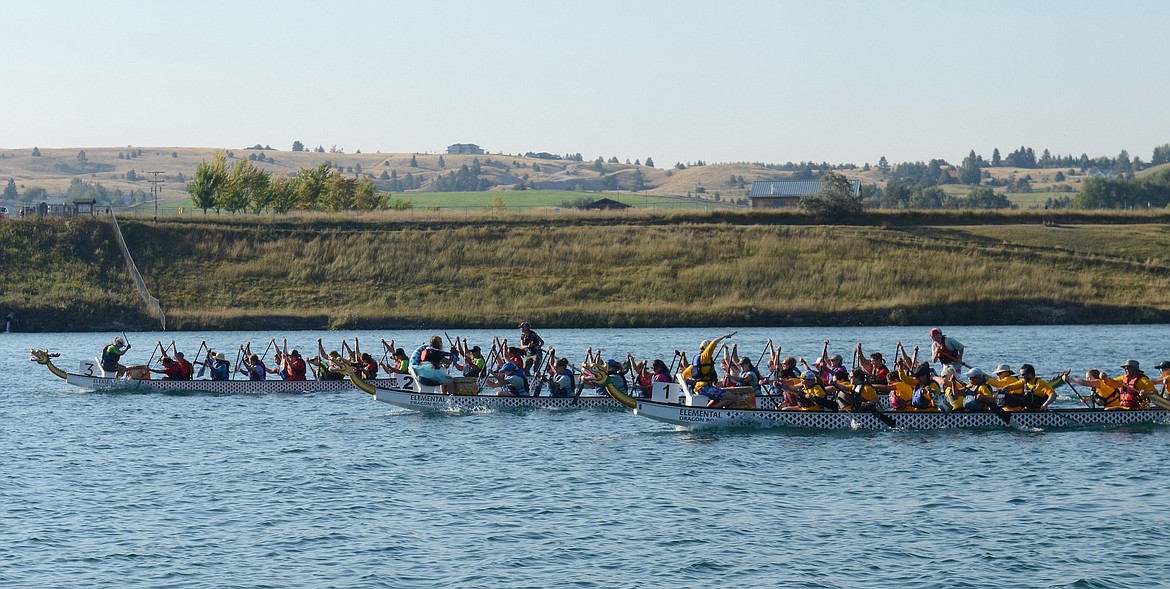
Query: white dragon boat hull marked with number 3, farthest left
pixel 91 378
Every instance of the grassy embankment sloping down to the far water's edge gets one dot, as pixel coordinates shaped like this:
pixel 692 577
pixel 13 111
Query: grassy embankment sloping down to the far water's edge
pixel 570 270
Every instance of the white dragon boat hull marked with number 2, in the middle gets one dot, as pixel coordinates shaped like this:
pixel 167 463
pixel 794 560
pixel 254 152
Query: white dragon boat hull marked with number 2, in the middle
pixel 409 393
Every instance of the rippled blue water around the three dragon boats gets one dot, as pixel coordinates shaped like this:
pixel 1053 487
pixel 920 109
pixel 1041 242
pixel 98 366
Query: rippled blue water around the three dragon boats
pixel 335 490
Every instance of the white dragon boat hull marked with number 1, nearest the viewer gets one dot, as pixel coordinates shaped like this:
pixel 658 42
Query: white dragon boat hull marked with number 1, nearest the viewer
pixel 676 403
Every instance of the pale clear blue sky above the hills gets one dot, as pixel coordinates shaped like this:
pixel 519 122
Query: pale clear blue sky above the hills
pixel 676 81
